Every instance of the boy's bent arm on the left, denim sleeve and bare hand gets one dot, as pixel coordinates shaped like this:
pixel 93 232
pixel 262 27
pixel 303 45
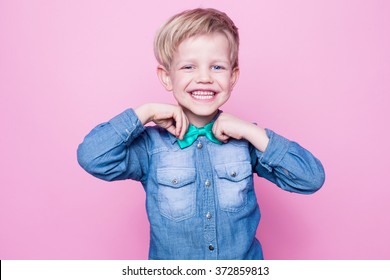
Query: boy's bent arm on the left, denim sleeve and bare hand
pixel 115 150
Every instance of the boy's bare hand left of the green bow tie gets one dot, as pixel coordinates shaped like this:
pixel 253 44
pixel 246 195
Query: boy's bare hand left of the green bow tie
pixel 170 117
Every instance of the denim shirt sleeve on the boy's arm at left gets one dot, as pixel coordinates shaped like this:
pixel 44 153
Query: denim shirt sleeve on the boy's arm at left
pixel 116 150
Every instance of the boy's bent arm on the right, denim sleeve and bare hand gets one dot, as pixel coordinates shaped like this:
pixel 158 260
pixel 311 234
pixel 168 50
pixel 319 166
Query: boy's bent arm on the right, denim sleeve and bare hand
pixel 275 158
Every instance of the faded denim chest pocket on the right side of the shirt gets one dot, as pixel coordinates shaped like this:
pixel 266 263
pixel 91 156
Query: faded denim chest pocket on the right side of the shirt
pixel 233 181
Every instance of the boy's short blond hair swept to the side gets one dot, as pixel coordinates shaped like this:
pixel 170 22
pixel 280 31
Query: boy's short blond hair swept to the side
pixel 192 23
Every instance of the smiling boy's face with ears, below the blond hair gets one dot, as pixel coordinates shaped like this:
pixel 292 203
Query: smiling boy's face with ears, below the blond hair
pixel 200 76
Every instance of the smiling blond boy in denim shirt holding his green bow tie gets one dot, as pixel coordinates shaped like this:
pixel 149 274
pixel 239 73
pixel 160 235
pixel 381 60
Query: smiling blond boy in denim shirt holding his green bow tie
pixel 196 165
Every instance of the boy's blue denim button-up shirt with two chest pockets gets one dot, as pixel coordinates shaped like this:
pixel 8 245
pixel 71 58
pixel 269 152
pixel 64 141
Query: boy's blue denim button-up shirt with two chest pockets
pixel 200 201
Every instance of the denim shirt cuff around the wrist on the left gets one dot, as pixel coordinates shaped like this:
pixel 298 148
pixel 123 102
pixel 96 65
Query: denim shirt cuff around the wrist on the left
pixel 127 125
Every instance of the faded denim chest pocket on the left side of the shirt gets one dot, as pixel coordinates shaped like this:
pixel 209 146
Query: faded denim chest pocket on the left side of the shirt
pixel 177 193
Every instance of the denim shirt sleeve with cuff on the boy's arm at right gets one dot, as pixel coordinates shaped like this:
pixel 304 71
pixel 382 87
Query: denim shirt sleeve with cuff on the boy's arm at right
pixel 288 165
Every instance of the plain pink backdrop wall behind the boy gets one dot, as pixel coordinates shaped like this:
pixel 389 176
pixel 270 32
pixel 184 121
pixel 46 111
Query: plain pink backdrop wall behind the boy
pixel 314 71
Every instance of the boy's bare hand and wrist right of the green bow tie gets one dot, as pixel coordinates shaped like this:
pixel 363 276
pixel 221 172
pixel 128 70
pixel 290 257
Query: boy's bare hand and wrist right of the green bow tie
pixel 228 126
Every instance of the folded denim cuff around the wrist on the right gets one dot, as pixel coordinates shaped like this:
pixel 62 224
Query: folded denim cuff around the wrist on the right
pixel 275 151
